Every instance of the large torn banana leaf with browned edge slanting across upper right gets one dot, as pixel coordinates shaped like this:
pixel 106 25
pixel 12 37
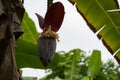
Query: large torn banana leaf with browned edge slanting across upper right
pixel 99 18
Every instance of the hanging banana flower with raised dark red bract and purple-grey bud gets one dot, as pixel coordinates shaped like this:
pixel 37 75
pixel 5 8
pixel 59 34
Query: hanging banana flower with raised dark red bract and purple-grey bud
pixel 50 25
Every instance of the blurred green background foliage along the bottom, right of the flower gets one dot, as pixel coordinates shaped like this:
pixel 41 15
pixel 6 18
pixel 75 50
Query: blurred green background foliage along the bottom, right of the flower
pixel 75 65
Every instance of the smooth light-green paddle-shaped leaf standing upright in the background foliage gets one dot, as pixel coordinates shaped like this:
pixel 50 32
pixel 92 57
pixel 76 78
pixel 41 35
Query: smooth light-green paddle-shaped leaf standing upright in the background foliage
pixel 94 64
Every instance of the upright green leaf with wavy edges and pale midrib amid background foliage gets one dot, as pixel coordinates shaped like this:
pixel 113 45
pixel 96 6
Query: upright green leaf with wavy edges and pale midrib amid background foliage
pixel 72 68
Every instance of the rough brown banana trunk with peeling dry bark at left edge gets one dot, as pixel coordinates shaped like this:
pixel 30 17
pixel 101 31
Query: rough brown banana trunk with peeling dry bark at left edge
pixel 11 14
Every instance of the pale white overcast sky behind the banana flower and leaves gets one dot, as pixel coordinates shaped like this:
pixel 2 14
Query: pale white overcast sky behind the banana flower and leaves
pixel 74 32
